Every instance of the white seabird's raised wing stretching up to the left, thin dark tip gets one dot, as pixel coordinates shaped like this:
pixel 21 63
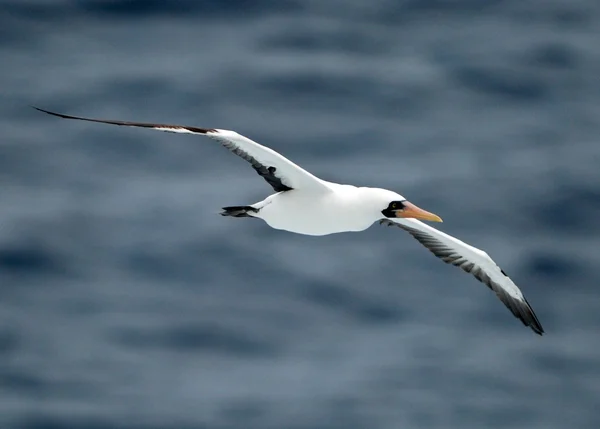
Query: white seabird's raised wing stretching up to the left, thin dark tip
pixel 281 173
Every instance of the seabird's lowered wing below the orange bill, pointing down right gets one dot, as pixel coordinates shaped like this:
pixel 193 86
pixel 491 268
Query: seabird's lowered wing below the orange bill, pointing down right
pixel 472 260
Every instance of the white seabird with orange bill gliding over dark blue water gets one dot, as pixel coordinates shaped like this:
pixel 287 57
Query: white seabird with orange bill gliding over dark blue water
pixel 305 204
